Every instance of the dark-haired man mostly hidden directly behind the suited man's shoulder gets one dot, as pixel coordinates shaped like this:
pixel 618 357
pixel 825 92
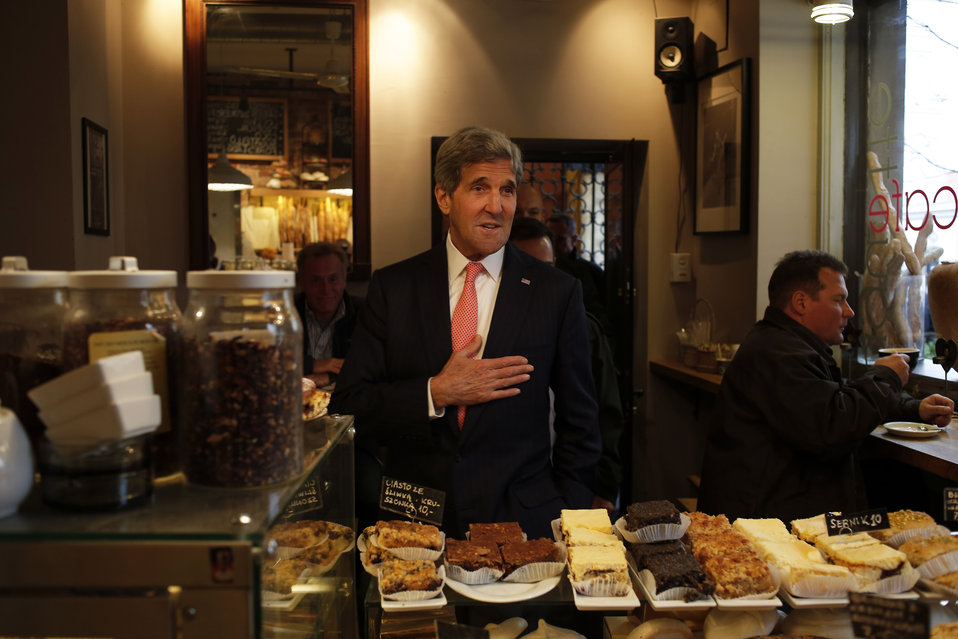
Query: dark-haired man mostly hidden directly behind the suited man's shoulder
pixel 534 238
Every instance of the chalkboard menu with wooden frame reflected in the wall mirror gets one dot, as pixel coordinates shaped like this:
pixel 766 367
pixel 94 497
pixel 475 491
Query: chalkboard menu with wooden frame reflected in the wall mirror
pixel 251 129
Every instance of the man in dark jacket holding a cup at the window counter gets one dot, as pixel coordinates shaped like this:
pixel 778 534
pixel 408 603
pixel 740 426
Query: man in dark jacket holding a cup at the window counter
pixel 787 428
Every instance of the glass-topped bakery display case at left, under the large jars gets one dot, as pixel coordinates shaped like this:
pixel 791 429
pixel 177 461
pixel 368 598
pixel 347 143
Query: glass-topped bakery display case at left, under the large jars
pixel 193 561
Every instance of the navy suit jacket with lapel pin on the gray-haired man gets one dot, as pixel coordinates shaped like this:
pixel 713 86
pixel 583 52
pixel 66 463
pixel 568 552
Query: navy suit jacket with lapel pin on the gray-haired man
pixel 500 466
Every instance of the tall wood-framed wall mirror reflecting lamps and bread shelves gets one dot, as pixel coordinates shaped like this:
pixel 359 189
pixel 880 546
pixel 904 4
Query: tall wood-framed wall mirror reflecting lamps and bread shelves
pixel 277 101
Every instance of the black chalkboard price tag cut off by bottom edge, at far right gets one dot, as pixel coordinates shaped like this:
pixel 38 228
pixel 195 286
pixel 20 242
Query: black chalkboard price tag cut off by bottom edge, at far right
pixel 879 617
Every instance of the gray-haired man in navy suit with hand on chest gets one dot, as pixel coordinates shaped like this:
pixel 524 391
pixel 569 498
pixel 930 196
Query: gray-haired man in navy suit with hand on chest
pixel 403 382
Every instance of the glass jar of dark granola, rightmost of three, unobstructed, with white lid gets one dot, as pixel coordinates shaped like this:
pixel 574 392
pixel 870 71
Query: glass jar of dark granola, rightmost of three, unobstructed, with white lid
pixel 242 379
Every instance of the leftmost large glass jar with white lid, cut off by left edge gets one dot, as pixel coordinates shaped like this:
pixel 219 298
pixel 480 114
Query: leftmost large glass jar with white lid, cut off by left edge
pixel 32 307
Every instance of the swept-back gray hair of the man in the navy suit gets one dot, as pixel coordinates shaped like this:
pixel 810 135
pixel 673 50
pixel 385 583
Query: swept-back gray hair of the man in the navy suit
pixel 470 145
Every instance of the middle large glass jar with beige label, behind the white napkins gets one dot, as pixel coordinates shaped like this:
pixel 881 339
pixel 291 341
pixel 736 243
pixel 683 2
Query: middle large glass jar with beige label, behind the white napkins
pixel 123 309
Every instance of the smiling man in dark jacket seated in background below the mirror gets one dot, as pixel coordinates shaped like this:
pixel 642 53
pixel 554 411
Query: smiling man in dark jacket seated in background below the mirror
pixel 328 312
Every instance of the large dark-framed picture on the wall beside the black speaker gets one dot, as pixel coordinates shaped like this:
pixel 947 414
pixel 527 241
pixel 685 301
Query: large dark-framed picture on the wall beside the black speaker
pixel 722 163
